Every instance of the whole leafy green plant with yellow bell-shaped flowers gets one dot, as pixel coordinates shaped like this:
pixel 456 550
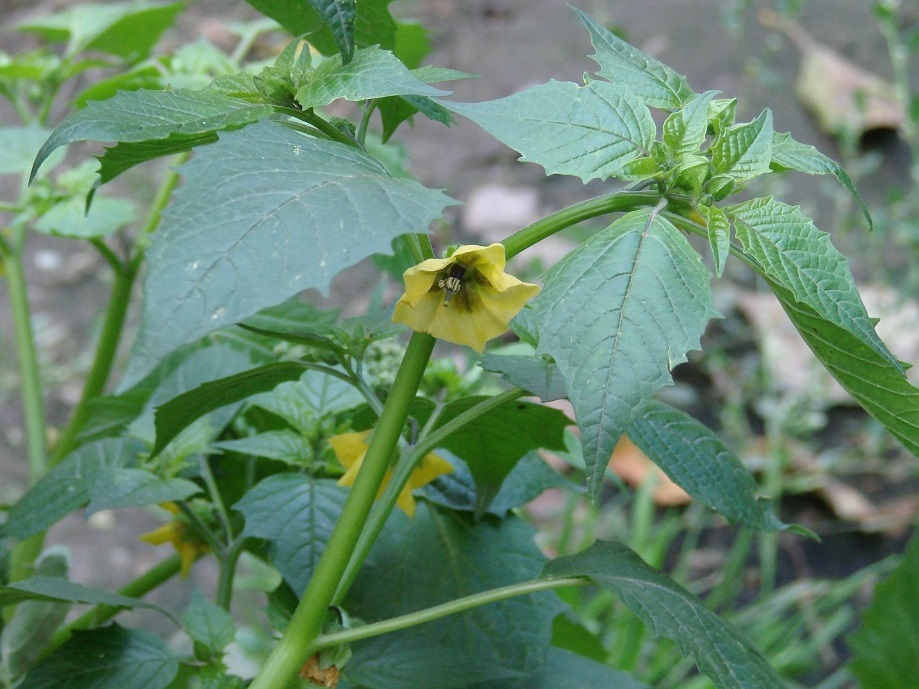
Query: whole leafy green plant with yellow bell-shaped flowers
pixel 240 405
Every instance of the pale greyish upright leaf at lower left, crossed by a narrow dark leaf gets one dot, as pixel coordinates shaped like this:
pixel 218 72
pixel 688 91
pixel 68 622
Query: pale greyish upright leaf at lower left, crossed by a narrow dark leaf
pixel 34 622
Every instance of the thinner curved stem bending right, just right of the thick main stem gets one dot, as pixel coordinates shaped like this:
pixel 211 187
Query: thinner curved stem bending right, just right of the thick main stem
pixel 403 471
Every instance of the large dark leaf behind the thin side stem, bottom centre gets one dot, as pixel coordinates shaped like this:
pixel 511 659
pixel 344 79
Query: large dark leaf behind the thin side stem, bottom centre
pixel 436 557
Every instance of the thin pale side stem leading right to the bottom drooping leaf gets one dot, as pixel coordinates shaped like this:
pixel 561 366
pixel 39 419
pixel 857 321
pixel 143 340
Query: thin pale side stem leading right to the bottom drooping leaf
pixel 436 612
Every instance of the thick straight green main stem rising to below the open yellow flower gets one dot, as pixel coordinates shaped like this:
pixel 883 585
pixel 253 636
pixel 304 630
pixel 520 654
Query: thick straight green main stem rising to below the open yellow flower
pixel 305 625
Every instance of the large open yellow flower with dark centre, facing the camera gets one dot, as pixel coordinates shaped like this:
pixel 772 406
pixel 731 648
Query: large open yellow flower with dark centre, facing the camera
pixel 465 299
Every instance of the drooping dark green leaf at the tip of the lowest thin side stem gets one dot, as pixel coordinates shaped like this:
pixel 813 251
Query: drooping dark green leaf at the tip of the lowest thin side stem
pixel 719 650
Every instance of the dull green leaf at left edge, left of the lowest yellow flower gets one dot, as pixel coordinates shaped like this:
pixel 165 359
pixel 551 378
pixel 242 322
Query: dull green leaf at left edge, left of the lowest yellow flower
pixel 64 489
